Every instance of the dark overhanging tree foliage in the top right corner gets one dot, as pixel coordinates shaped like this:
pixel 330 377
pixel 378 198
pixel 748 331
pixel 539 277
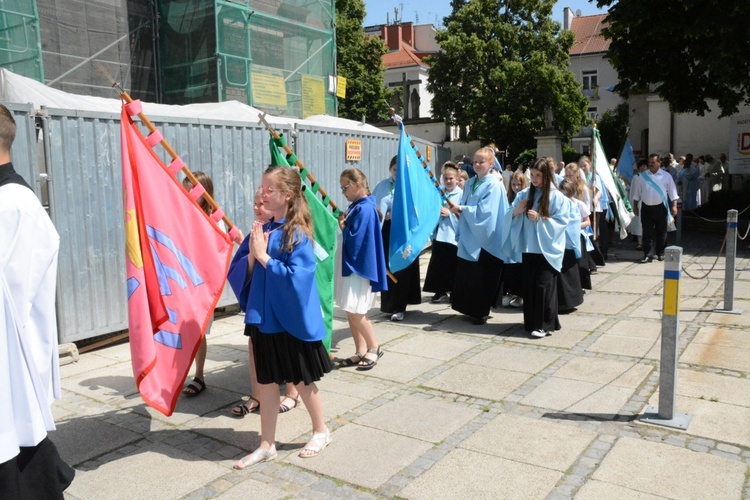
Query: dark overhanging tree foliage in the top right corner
pixel 686 52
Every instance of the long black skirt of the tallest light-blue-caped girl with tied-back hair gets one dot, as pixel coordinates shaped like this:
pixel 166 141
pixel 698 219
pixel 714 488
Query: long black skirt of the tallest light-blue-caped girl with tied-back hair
pixel 476 285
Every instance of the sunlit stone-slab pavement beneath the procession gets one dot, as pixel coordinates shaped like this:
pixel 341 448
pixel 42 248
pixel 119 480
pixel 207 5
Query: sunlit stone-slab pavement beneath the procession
pixel 453 408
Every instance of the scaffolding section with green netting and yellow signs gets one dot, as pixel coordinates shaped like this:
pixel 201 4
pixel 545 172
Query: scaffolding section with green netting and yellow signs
pixel 274 55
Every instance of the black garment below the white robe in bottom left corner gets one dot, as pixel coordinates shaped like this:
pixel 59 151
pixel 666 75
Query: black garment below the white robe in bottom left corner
pixel 36 472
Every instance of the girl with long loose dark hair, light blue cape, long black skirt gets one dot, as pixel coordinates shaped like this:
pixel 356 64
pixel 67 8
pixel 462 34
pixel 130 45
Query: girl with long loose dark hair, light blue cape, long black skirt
pixel 535 235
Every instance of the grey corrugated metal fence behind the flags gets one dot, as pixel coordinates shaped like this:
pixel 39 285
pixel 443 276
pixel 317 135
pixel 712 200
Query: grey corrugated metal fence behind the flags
pixel 82 158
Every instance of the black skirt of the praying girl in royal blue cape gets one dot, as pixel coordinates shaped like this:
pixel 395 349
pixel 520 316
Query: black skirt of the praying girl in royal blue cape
pixel 282 358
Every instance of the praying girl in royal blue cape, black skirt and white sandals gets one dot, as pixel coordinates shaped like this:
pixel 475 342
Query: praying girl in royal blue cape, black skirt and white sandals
pixel 273 276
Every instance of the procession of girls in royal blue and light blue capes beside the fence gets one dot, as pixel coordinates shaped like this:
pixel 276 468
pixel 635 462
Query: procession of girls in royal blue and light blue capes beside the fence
pixel 527 242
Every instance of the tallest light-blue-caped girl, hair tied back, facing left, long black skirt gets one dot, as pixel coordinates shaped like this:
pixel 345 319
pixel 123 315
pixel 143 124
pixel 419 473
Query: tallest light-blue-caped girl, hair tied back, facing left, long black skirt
pixel 480 257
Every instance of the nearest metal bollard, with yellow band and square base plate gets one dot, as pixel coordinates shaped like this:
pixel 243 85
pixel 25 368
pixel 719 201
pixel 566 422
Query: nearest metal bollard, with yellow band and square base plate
pixel 670 326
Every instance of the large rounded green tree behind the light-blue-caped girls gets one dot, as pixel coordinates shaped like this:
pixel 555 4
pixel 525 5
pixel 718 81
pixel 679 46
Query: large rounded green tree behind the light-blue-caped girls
pixel 501 64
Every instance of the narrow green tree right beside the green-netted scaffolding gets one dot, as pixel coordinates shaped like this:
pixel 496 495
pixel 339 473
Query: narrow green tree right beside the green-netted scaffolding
pixel 359 61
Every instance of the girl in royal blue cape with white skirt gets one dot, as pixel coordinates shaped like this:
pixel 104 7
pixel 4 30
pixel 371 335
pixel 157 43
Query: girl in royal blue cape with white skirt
pixel 362 267
